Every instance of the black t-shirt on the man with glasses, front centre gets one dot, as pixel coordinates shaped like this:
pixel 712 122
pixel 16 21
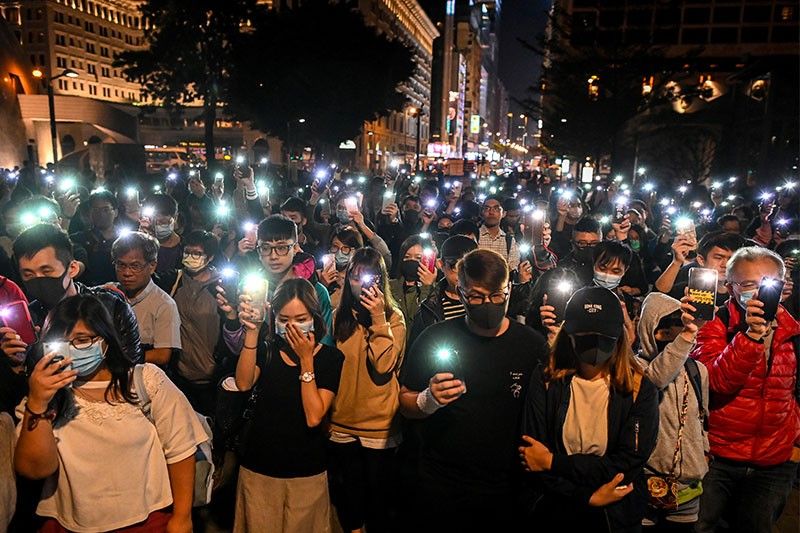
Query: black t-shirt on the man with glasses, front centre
pixel 473 441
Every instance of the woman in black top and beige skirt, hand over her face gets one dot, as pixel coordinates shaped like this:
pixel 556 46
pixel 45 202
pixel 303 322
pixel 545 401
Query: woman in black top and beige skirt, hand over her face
pixel 283 483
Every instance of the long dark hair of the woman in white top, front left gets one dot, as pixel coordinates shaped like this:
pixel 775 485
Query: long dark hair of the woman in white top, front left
pixel 87 308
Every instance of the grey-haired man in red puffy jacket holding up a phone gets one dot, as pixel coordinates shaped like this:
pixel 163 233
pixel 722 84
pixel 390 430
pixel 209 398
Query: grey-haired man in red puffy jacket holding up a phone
pixel 753 420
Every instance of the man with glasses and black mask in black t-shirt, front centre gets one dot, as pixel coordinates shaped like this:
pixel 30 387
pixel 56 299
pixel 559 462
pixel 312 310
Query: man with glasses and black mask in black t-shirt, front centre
pixel 466 379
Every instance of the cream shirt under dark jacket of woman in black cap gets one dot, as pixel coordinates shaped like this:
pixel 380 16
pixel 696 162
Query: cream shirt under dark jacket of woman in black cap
pixel 586 427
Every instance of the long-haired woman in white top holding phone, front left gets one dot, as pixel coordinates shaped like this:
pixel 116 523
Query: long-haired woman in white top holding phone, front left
pixel 106 466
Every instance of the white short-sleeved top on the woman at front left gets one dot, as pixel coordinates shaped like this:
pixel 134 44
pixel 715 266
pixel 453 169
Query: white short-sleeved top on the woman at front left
pixel 112 461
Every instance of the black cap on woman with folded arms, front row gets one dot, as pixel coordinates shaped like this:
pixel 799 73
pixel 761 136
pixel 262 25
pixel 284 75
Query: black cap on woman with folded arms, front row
pixel 594 310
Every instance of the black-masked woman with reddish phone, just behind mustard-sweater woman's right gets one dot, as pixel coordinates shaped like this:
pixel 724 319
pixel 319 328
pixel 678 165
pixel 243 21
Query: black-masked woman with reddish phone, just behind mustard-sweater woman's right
pixel 415 281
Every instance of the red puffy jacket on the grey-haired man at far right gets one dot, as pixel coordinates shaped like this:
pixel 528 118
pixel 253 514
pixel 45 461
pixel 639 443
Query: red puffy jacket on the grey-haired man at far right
pixel 754 416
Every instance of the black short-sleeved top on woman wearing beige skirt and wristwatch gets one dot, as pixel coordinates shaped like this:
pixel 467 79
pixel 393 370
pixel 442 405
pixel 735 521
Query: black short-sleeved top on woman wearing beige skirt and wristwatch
pixel 280 443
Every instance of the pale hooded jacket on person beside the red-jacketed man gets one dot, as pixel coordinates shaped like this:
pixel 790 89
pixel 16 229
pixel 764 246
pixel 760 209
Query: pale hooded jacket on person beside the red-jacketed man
pixel 667 372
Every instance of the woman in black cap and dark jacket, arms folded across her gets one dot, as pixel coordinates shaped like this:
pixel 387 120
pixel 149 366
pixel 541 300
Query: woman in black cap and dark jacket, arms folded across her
pixel 591 422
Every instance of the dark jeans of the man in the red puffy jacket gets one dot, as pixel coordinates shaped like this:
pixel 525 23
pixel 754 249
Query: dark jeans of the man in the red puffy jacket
pixel 754 495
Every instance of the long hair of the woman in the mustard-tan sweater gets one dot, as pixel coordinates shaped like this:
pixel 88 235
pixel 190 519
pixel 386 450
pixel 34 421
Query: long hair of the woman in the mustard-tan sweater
pixel 350 312
